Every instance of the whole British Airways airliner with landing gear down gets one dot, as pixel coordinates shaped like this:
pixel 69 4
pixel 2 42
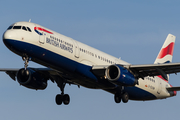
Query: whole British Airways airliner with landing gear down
pixel 68 61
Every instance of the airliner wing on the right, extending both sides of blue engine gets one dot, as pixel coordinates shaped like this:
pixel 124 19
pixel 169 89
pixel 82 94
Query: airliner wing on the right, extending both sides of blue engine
pixel 142 71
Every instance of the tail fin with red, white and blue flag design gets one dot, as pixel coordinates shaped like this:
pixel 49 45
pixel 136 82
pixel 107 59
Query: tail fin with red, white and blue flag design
pixel 166 53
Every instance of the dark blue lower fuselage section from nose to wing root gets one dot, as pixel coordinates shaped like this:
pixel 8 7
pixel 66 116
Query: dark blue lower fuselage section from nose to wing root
pixel 51 57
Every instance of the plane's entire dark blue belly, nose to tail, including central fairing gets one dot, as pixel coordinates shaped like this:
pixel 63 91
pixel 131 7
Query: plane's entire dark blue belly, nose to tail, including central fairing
pixel 84 76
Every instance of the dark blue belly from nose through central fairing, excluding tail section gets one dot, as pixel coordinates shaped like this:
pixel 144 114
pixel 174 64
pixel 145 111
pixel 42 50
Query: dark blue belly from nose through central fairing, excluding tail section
pixel 82 74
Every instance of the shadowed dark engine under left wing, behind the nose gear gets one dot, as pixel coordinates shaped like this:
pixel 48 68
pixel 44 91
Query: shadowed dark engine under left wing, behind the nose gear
pixel 31 79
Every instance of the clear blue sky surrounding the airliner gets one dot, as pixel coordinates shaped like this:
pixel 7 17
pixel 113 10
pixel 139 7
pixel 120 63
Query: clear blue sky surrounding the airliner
pixel 132 30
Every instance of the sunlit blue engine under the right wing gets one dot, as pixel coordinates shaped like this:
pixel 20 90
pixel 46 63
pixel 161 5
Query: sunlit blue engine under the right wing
pixel 120 76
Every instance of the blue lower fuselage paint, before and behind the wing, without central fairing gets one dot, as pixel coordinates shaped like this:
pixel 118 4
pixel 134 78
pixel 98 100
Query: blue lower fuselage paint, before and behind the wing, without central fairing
pixel 55 59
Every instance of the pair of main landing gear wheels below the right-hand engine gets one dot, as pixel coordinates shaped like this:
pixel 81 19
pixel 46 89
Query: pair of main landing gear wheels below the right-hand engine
pixel 124 97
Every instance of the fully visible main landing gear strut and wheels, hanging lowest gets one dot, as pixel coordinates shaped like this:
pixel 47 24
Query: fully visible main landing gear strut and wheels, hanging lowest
pixel 62 98
